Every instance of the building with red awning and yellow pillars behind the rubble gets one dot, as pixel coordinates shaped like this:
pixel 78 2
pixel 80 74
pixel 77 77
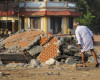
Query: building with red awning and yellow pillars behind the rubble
pixel 50 16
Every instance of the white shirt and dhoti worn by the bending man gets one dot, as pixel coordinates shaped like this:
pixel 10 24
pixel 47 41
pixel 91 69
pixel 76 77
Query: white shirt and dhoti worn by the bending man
pixel 84 37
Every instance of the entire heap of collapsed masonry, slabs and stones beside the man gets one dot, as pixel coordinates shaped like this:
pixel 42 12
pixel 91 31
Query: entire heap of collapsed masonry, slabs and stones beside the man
pixel 33 48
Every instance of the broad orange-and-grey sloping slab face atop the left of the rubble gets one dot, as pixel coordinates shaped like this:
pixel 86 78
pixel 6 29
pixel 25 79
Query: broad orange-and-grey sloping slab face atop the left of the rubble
pixel 23 39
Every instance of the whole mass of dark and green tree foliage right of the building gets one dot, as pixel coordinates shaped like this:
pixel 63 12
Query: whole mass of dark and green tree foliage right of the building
pixel 90 10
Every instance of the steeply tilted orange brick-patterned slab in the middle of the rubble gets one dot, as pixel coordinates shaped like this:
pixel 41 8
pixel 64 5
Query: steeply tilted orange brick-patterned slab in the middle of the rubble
pixel 51 50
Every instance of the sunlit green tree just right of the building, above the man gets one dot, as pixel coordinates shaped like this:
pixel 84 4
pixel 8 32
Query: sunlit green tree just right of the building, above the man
pixel 87 17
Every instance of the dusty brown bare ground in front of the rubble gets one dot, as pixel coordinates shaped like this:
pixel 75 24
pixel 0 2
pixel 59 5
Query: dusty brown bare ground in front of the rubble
pixel 62 72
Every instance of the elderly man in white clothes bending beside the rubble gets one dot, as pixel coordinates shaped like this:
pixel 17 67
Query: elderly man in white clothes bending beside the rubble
pixel 85 41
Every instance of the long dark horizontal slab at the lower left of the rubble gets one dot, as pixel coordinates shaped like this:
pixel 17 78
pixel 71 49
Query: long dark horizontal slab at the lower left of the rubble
pixel 9 57
